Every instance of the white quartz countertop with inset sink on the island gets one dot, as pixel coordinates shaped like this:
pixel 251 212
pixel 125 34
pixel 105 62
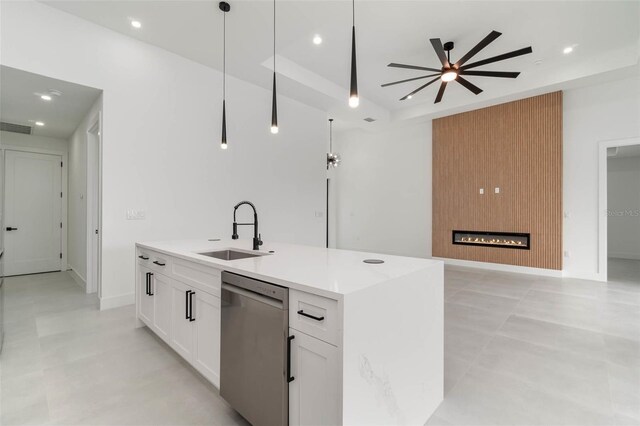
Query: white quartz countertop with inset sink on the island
pixel 327 272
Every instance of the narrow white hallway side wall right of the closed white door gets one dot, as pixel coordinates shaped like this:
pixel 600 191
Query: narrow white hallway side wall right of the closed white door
pixel 77 219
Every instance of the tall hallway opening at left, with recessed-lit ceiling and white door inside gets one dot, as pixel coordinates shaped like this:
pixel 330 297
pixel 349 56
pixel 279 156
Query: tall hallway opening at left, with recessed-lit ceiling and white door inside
pixel 50 139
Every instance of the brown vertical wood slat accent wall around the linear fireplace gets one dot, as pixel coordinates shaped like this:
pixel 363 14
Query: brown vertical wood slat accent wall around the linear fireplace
pixel 517 147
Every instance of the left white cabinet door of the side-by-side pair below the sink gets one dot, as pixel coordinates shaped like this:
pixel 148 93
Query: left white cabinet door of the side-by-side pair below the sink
pixel 182 328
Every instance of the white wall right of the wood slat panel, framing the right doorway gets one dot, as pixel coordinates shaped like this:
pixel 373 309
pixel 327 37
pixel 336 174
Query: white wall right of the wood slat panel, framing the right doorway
pixel 592 114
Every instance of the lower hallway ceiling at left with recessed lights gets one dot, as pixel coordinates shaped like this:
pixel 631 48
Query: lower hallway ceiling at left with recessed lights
pixel 20 102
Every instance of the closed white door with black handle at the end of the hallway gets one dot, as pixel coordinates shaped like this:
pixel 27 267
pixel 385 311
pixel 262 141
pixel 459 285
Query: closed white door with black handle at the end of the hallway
pixel 33 206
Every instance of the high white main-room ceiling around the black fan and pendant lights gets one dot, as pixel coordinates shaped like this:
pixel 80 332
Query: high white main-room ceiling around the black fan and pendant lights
pixel 605 34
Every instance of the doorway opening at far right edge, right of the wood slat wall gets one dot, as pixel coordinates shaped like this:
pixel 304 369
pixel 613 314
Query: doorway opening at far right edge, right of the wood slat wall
pixel 620 206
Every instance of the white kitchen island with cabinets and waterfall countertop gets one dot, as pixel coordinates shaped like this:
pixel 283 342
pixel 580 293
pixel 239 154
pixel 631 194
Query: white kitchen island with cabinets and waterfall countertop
pixel 368 351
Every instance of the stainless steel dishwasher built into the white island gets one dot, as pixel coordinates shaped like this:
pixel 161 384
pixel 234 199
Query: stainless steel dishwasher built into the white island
pixel 254 359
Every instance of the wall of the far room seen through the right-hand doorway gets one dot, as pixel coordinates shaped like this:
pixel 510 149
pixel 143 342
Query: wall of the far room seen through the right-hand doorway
pixel 623 203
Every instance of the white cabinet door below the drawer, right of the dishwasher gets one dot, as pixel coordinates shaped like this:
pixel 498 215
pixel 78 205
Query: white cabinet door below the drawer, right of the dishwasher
pixel 314 392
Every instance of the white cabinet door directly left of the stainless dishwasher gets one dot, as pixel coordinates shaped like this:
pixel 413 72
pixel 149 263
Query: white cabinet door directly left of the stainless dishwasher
pixel 206 351
